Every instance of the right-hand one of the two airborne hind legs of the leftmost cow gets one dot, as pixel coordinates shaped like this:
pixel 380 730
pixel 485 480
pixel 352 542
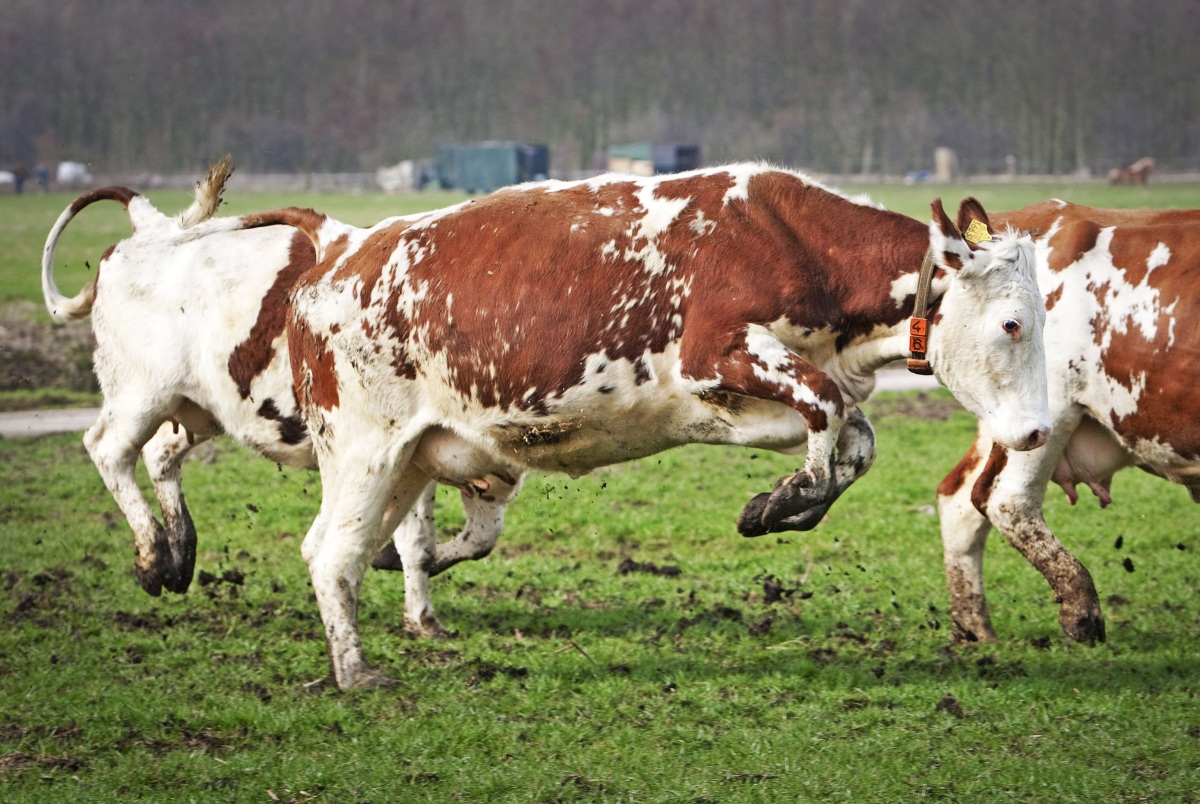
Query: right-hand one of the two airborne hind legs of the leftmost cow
pixel 164 457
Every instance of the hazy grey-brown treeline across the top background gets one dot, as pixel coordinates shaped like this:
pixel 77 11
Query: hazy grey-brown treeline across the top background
pixel 833 86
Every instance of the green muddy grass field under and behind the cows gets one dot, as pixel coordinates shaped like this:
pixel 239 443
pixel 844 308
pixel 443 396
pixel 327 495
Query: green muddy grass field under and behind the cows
pixel 715 669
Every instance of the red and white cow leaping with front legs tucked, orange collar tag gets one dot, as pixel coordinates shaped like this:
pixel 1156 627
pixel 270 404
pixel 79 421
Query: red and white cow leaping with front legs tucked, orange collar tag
pixel 569 326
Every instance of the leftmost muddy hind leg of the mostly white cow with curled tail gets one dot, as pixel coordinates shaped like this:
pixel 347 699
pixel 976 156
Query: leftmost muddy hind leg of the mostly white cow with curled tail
pixel 113 442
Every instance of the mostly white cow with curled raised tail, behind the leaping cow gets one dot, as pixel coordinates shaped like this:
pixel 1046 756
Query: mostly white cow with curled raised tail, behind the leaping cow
pixel 190 344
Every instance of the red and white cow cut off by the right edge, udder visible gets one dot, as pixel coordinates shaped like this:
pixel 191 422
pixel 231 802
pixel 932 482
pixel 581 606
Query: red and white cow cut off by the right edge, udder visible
pixel 1124 303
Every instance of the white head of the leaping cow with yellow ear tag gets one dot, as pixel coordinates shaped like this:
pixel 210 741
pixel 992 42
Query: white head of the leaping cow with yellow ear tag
pixel 987 345
